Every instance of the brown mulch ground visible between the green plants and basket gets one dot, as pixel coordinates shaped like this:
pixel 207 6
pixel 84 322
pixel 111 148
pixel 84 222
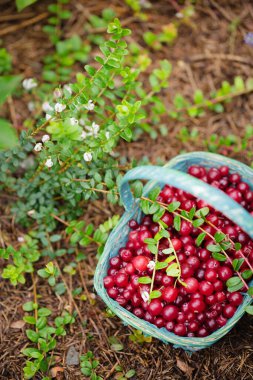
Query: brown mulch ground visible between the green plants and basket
pixel 203 55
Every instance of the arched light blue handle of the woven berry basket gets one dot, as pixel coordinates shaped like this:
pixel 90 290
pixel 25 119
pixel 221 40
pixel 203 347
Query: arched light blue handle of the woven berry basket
pixel 213 196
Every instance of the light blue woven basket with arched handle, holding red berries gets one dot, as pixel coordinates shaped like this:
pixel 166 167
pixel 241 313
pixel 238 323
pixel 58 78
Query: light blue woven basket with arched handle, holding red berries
pixel 174 173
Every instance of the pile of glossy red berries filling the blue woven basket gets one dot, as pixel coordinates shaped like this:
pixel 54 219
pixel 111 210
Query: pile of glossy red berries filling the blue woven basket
pixel 202 304
